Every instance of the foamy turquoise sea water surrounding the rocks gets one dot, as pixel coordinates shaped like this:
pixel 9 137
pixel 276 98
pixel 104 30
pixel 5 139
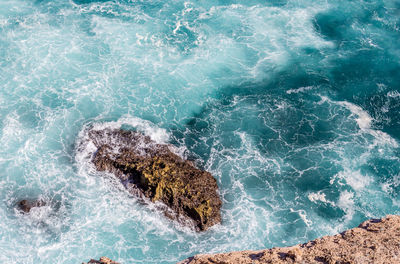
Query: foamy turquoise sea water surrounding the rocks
pixel 293 106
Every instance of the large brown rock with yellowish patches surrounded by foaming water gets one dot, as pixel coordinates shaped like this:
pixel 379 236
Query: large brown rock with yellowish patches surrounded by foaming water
pixel 152 170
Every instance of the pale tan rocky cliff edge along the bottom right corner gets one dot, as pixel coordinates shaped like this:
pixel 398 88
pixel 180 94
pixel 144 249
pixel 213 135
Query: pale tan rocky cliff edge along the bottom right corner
pixel 375 241
